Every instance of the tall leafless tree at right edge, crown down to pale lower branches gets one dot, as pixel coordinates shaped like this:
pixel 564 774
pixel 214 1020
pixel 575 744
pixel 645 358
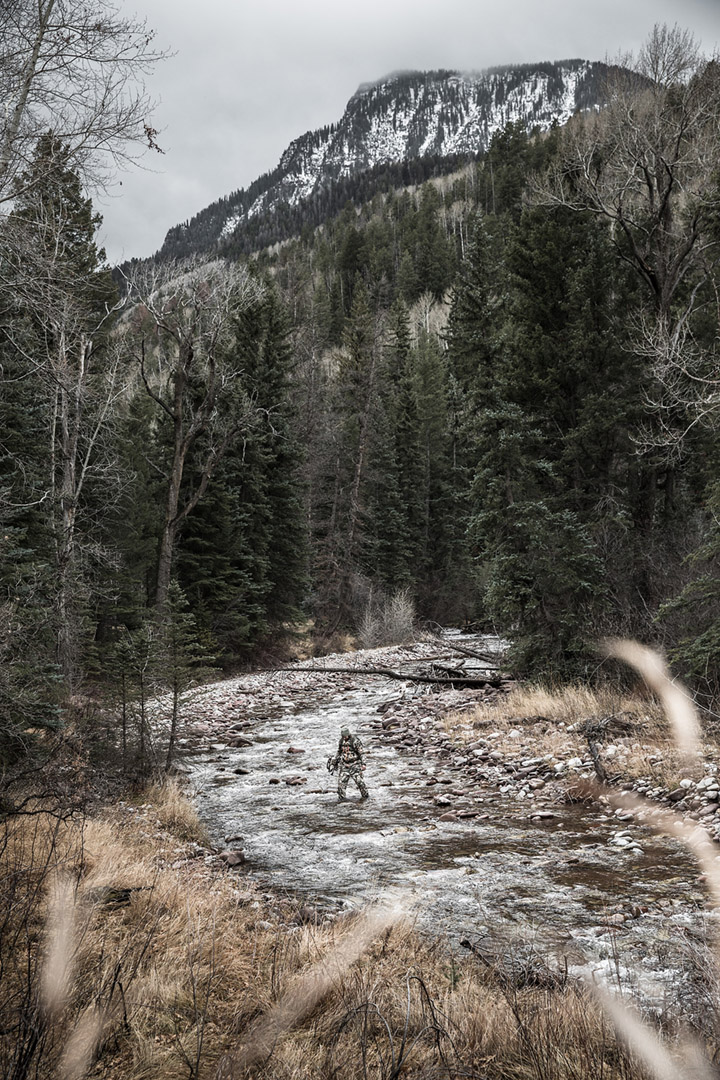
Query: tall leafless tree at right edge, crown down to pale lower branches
pixel 649 164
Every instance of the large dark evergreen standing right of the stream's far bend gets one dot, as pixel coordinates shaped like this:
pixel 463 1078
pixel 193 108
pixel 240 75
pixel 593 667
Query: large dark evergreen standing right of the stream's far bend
pixel 554 458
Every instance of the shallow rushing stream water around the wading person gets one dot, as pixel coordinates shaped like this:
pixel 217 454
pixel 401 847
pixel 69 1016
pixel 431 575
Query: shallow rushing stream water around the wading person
pixel 499 880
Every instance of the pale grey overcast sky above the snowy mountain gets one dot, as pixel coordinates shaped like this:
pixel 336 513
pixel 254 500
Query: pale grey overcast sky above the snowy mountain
pixel 247 79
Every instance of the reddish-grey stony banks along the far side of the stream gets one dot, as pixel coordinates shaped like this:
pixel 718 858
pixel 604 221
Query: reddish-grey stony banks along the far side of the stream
pixel 467 761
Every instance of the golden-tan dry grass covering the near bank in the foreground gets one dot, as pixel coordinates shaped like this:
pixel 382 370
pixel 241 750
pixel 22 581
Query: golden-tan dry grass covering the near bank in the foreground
pixel 124 956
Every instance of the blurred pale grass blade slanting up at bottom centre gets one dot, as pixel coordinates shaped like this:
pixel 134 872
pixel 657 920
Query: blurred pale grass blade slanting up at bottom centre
pixel 306 991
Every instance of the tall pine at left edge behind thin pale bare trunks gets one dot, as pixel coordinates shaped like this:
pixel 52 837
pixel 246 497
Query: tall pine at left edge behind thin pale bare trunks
pixel 57 333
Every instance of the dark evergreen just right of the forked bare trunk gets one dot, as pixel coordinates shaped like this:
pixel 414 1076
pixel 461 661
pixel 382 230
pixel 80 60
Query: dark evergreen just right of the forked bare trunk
pixel 243 553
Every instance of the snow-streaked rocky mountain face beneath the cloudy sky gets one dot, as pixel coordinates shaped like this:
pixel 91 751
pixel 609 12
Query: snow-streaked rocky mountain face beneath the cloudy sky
pixel 407 116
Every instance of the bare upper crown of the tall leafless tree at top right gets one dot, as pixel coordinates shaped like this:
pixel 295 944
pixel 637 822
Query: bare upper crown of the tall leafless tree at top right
pixel 648 164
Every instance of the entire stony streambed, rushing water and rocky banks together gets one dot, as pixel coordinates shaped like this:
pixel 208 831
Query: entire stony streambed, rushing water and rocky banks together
pixel 479 819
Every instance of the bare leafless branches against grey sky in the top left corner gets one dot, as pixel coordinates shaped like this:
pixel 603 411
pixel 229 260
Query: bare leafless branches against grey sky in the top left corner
pixel 75 67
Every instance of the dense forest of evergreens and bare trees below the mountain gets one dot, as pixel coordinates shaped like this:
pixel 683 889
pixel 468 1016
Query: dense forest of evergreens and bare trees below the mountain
pixel 493 393
